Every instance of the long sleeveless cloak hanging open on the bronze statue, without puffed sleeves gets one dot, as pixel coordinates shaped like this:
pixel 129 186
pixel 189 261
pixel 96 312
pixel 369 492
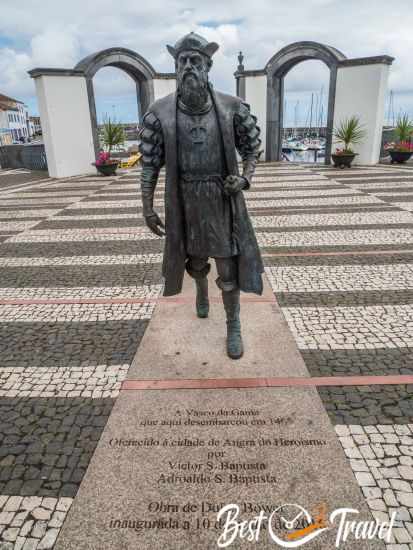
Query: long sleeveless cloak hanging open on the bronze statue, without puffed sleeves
pixel 250 265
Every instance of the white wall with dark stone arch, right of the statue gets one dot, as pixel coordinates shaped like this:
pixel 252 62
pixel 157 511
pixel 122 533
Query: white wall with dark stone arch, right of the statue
pixel 357 87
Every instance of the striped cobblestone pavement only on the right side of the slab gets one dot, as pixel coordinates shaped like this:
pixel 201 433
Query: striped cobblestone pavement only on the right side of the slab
pixel 343 280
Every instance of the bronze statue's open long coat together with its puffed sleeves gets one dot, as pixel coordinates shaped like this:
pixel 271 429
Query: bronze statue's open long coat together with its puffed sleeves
pixel 159 144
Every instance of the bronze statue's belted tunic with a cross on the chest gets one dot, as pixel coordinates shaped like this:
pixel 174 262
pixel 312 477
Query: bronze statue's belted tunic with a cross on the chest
pixel 207 210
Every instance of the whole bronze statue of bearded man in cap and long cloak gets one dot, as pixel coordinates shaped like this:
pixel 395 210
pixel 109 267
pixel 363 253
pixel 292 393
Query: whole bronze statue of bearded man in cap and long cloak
pixel 195 132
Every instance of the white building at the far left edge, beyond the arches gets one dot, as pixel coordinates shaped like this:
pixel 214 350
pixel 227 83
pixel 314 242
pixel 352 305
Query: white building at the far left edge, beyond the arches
pixel 14 121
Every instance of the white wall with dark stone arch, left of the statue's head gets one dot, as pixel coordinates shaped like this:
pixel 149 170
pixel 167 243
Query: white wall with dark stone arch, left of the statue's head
pixel 67 105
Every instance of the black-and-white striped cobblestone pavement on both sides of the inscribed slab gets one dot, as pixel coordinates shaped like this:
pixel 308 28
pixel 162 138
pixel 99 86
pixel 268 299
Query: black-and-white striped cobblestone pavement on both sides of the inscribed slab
pixel 79 278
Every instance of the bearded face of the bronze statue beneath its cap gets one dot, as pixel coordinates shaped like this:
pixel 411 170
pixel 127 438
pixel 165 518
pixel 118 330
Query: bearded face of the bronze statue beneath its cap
pixel 192 78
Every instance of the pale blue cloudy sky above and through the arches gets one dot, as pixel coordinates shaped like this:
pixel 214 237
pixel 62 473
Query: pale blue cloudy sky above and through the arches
pixel 58 33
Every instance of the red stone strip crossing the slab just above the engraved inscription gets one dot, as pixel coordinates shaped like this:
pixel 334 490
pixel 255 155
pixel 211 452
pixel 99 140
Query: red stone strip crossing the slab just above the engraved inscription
pixel 233 383
